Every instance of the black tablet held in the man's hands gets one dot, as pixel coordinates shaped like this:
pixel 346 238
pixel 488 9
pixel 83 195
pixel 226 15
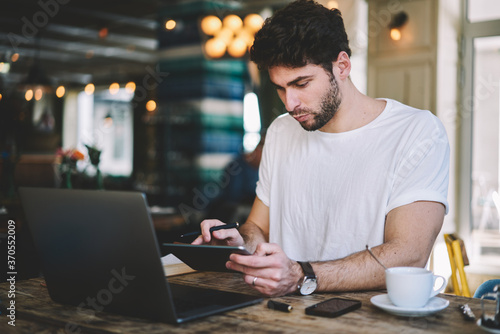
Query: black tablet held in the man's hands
pixel 204 257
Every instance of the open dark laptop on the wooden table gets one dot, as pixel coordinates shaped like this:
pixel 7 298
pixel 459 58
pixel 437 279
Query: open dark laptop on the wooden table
pixel 99 252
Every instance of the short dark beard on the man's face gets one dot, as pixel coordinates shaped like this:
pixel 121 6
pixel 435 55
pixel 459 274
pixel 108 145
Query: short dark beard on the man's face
pixel 330 103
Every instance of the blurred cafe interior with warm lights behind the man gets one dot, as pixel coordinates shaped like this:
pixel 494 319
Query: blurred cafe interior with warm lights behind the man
pixel 159 96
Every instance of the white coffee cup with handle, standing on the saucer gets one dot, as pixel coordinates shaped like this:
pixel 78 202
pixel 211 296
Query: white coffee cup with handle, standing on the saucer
pixel 411 287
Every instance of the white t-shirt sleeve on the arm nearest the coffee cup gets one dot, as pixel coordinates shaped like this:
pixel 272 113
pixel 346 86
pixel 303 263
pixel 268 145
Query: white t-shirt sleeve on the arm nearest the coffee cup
pixel 422 172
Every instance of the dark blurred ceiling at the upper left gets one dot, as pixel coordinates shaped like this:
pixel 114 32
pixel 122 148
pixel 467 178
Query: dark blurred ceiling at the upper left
pixel 64 36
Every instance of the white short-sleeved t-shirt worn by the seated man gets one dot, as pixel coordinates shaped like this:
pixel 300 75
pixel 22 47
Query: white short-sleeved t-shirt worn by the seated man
pixel 329 193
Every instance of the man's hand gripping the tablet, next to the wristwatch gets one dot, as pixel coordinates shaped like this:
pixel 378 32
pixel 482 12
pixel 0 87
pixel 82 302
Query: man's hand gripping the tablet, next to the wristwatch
pixel 276 274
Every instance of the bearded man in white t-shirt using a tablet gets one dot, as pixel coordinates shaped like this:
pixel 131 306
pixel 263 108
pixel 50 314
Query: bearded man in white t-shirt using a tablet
pixel 339 171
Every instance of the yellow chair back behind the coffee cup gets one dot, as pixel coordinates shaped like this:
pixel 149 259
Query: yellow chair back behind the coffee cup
pixel 458 260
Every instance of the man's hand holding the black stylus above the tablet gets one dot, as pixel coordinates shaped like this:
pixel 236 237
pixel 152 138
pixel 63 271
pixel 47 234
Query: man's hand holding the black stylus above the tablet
pixel 229 237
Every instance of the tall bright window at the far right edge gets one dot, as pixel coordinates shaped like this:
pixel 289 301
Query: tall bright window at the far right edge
pixel 480 140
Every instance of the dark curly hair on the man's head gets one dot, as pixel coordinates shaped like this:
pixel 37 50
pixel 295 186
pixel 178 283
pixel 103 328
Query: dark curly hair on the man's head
pixel 304 32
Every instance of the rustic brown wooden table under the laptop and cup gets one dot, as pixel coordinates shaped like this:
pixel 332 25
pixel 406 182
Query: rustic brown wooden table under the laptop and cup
pixel 37 313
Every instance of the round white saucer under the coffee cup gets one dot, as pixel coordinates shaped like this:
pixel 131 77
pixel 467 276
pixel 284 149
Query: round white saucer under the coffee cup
pixel 435 304
